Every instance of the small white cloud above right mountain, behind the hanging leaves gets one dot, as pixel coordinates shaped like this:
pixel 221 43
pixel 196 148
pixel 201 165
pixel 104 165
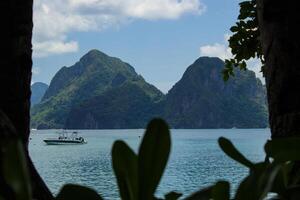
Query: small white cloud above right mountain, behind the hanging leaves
pixel 223 51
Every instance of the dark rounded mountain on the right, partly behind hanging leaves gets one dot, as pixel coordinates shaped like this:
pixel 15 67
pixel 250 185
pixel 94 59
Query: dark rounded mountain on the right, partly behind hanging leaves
pixel 201 99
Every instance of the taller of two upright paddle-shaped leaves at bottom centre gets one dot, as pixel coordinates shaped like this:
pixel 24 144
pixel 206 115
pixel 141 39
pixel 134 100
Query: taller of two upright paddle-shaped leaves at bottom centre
pixel 153 156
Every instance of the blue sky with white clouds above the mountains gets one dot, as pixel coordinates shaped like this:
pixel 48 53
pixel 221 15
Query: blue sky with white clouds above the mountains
pixel 159 38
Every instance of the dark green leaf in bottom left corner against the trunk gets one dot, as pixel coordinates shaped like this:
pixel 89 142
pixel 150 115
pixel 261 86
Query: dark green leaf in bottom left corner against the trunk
pixel 15 169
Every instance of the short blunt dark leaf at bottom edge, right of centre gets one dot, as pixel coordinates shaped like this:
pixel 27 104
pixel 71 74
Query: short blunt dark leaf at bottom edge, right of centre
pixel 221 191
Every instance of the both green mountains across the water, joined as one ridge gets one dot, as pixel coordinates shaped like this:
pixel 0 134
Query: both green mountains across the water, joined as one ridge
pixel 103 92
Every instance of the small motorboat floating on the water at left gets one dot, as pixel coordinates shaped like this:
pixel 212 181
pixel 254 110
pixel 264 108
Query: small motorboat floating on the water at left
pixel 65 138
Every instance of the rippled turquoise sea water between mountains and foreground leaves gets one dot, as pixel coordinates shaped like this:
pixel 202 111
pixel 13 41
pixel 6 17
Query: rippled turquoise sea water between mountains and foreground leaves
pixel 196 160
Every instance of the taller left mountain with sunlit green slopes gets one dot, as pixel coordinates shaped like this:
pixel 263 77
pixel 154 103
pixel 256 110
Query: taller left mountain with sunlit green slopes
pixel 75 88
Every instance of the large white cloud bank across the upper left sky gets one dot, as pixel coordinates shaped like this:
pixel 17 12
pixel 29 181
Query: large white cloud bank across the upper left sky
pixel 55 19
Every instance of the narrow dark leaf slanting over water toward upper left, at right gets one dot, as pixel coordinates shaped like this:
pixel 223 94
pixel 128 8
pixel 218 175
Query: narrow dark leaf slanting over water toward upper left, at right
pixel 233 153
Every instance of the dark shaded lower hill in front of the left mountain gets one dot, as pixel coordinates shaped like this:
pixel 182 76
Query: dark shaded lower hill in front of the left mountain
pixel 126 106
